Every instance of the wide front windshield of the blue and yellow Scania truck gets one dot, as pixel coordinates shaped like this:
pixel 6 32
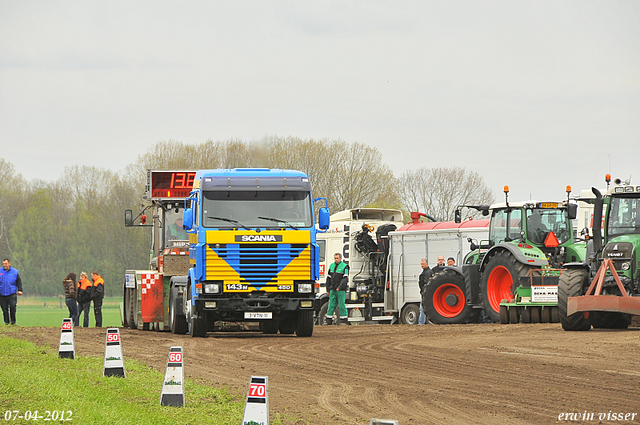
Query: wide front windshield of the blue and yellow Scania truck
pixel 228 209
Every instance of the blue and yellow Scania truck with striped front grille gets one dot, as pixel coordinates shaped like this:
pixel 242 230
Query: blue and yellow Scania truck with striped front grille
pixel 253 252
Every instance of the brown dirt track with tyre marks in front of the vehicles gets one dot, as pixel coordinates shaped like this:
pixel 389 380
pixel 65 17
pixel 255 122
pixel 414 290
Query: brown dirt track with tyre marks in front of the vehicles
pixel 455 374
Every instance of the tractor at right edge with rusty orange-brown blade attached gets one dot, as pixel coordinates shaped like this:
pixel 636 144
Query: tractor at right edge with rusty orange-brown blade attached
pixel 604 290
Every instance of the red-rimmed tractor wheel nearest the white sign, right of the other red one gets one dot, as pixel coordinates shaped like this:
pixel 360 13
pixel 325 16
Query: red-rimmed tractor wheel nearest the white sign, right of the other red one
pixel 500 279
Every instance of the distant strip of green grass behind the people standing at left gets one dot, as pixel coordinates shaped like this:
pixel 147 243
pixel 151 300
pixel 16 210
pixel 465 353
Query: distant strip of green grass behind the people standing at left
pixel 35 311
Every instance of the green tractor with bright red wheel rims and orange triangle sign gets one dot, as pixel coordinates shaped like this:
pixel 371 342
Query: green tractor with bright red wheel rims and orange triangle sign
pixel 513 276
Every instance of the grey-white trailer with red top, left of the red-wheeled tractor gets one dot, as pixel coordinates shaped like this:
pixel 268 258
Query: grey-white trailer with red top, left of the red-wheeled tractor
pixel 411 243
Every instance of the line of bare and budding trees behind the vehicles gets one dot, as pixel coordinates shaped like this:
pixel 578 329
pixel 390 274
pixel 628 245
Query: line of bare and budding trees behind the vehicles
pixel 74 224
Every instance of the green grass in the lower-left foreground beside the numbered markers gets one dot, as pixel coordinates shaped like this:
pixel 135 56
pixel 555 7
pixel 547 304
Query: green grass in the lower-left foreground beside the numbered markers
pixel 34 379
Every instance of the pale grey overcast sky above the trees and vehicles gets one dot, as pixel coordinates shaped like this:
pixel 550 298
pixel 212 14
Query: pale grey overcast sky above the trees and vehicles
pixel 533 94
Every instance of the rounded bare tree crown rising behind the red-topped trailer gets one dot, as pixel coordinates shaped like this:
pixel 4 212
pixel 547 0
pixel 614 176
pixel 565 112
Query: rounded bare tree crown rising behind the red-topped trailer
pixel 439 191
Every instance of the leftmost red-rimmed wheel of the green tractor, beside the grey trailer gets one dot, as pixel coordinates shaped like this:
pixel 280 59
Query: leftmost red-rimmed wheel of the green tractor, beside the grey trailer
pixel 444 301
